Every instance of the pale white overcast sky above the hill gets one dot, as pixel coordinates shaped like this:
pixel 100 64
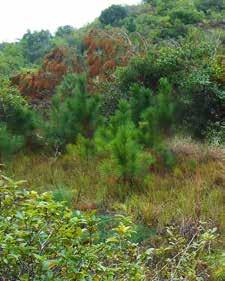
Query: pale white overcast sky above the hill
pixel 17 16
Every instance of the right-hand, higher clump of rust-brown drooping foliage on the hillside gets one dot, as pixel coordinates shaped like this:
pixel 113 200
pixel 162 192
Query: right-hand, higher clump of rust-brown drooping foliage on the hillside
pixel 105 51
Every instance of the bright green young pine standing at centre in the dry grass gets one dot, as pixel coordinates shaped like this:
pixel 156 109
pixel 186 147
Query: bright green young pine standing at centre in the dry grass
pixel 118 141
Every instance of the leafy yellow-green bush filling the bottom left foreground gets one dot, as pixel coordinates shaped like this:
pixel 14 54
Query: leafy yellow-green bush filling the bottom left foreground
pixel 43 240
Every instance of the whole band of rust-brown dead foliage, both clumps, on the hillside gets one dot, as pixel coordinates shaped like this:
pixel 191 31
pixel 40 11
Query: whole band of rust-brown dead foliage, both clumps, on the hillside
pixel 105 50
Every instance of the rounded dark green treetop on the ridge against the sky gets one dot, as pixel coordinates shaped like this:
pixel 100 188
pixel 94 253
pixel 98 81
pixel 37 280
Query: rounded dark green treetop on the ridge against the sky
pixel 113 15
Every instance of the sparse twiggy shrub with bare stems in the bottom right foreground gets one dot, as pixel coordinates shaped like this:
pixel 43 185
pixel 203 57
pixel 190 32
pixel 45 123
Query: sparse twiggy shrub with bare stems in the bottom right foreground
pixel 184 253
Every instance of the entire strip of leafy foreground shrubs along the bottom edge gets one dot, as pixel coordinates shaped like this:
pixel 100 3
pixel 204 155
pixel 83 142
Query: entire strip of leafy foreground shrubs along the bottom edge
pixel 44 240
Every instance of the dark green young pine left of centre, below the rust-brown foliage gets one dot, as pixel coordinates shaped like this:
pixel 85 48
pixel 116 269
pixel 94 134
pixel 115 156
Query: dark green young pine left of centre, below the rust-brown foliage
pixel 73 112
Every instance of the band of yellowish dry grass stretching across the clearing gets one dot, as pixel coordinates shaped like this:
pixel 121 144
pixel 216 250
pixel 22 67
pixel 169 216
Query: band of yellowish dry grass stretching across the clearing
pixel 194 188
